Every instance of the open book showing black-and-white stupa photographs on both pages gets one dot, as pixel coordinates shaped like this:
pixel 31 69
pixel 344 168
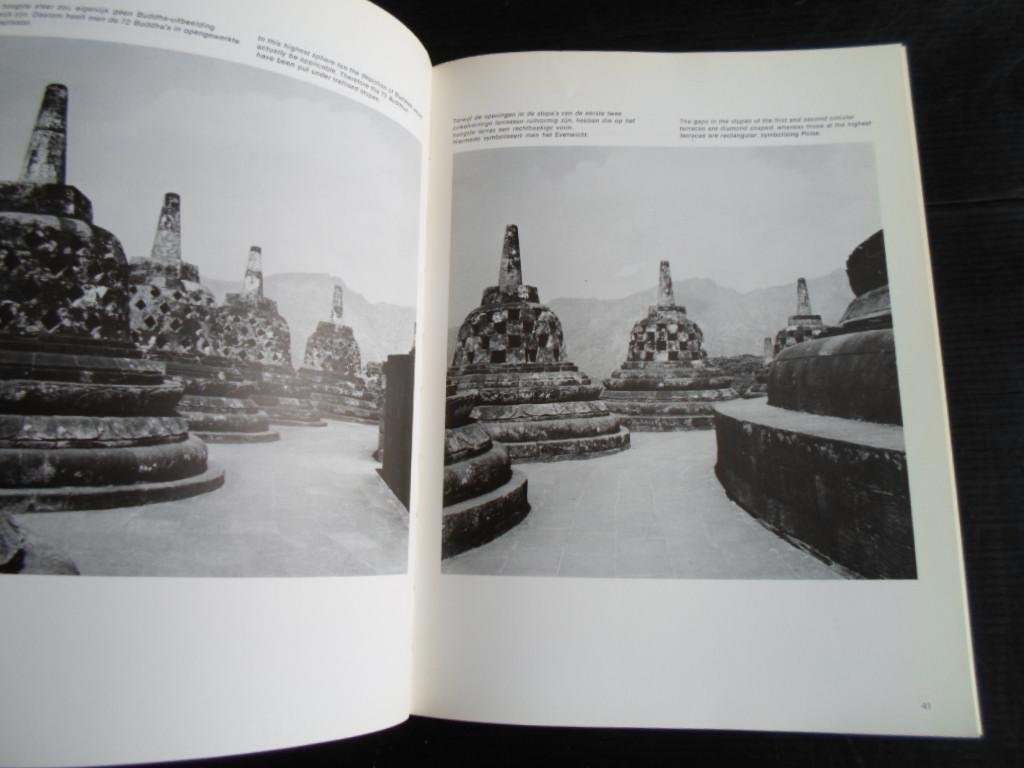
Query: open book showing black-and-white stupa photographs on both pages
pixel 591 390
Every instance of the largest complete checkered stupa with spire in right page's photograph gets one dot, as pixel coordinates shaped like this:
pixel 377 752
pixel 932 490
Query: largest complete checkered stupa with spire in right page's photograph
pixel 531 398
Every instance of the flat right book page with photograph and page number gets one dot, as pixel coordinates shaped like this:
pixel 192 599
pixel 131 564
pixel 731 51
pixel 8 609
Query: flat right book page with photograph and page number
pixel 698 470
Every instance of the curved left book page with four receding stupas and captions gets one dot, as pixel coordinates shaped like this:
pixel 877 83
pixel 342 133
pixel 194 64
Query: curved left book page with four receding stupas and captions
pixel 210 239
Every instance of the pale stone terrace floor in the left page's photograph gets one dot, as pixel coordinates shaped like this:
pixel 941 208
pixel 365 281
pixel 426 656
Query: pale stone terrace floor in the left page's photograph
pixel 309 505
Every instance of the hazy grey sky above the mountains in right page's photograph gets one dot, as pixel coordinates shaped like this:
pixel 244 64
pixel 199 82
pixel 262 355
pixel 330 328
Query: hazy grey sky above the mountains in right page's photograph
pixel 596 222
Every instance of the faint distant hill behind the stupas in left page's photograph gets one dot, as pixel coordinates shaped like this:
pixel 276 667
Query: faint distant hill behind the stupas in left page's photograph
pixel 305 301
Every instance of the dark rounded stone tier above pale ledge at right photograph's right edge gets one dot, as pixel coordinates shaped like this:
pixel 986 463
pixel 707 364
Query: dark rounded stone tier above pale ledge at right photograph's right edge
pixel 851 376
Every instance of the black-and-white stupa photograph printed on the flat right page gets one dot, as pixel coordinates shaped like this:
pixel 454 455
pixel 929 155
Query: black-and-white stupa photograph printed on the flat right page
pixel 673 363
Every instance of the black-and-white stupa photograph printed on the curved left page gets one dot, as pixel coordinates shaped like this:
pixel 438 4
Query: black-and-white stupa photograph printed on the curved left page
pixel 208 273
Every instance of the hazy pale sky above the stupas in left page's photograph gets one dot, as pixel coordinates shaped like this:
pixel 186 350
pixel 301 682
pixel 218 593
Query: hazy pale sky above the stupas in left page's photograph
pixel 323 184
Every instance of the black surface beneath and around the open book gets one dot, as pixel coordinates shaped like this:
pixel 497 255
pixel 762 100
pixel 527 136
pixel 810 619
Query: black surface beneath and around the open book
pixel 967 68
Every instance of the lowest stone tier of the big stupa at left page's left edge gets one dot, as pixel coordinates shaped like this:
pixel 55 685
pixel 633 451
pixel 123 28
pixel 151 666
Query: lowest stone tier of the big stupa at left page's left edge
pixel 69 498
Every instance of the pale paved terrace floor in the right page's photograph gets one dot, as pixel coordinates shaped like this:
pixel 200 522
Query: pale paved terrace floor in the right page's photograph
pixel 656 510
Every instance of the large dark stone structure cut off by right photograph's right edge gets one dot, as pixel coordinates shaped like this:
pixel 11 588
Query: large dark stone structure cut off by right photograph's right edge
pixel 823 461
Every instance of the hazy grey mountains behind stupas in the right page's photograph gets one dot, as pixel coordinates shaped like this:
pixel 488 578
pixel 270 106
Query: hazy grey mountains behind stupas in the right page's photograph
pixel 734 323
